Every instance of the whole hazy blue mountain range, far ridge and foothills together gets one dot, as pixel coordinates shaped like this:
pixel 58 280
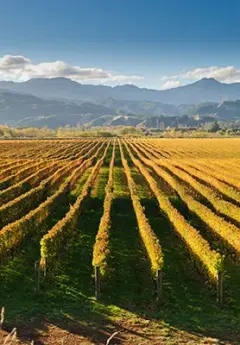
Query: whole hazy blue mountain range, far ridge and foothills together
pixel 59 101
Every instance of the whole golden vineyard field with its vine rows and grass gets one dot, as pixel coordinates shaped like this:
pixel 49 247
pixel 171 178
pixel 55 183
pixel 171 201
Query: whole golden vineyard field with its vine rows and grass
pixel 157 221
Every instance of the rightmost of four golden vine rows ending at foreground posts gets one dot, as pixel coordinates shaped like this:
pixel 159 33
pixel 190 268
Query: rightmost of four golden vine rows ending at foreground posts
pixel 209 261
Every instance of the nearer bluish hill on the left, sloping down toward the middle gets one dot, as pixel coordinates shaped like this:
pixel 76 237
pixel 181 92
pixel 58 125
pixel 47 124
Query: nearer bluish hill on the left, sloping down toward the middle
pixel 19 109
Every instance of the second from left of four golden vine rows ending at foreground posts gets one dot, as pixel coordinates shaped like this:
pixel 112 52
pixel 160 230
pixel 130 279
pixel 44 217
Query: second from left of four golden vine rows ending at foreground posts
pixel 101 246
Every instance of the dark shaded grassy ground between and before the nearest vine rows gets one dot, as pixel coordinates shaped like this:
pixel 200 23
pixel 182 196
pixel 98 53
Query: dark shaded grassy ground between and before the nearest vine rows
pixel 128 301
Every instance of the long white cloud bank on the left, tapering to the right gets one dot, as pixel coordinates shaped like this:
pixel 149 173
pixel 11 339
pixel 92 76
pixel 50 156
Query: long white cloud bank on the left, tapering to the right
pixel 20 68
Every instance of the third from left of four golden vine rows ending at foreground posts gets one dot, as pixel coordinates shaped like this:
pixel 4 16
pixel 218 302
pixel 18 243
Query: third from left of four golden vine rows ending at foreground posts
pixel 149 239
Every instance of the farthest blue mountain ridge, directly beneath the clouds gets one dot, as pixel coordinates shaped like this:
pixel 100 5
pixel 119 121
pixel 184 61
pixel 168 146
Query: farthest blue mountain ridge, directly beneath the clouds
pixel 204 90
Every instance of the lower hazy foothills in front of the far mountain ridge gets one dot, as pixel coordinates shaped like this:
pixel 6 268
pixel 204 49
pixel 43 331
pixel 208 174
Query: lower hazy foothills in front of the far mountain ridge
pixel 22 110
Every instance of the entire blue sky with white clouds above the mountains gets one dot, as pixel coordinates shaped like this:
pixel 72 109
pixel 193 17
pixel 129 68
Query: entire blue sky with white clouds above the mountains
pixel 150 43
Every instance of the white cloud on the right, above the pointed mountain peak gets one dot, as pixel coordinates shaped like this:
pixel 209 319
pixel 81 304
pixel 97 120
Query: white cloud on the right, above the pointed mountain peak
pixel 227 74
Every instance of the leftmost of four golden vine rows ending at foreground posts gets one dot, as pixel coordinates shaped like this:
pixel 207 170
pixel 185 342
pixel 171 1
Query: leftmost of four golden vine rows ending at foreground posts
pixel 52 243
